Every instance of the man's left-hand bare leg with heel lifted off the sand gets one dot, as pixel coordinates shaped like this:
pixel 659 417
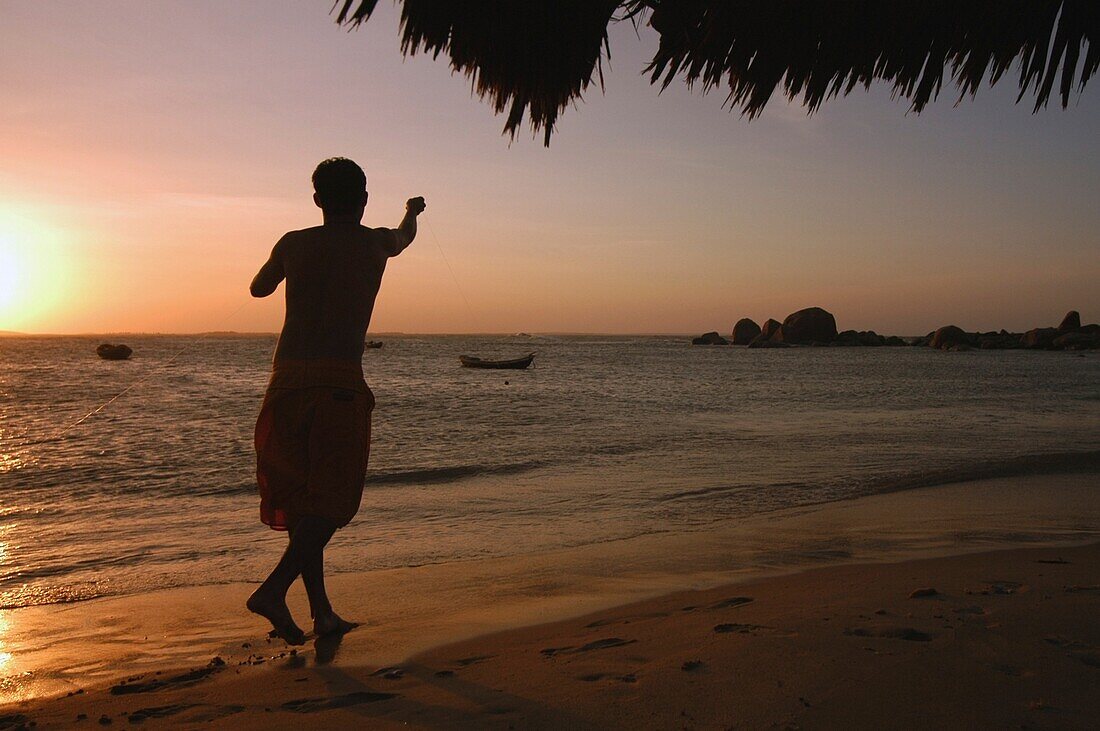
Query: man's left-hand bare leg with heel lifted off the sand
pixel 307 546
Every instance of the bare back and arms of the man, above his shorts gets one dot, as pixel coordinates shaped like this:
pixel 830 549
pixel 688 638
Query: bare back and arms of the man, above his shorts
pixel 333 276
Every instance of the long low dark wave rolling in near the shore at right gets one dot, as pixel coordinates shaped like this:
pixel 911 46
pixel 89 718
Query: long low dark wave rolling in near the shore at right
pixel 1055 463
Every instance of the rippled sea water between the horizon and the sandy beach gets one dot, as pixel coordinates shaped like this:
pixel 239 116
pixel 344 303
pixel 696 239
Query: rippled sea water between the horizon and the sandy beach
pixel 607 438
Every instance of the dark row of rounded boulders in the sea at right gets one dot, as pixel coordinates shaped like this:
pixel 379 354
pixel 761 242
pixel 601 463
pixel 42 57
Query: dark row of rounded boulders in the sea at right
pixel 818 327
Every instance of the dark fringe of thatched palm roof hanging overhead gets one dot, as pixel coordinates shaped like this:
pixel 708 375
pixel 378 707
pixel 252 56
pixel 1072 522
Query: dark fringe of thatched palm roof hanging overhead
pixel 534 58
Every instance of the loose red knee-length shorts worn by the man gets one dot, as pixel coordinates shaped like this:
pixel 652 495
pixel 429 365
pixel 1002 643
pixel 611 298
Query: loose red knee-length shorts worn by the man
pixel 313 442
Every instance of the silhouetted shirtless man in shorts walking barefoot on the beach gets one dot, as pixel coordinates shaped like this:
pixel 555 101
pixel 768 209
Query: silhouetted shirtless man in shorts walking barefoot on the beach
pixel 314 431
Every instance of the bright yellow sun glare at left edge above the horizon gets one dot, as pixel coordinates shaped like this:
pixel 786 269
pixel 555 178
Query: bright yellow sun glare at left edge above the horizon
pixel 35 271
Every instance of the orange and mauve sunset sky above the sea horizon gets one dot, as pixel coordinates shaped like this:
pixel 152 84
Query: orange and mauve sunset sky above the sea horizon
pixel 151 154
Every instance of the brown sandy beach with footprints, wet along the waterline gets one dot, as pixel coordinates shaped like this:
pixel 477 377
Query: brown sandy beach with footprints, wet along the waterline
pixel 805 618
